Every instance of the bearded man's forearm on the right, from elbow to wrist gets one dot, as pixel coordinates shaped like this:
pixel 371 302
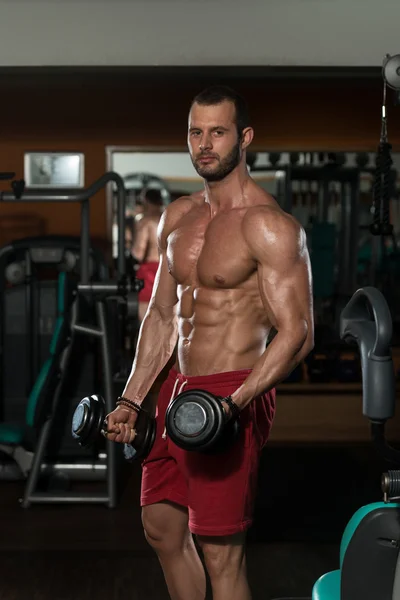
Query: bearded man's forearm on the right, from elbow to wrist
pixel 279 359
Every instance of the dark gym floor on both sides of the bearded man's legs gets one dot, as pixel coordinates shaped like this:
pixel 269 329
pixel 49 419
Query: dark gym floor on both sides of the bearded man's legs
pixel 82 552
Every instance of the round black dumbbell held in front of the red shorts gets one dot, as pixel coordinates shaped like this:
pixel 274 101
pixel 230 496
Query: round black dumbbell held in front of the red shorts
pixel 196 420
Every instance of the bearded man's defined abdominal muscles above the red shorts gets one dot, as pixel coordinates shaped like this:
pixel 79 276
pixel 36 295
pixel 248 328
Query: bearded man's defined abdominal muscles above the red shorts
pixel 219 330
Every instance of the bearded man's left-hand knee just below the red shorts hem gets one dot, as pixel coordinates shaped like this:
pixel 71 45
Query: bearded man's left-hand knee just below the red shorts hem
pixel 165 527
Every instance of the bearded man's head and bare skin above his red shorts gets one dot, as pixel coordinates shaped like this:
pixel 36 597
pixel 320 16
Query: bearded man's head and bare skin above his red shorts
pixel 232 265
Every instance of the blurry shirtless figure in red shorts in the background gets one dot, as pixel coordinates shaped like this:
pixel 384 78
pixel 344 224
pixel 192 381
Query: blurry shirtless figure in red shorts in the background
pixel 145 247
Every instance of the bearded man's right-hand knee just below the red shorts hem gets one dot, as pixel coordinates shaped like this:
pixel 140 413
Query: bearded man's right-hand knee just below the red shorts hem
pixel 223 556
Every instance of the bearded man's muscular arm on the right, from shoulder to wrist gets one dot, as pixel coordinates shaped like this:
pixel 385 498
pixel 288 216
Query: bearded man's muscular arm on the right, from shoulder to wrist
pixel 278 245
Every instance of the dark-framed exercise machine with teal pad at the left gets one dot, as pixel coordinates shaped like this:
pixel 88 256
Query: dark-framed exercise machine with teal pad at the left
pixel 46 398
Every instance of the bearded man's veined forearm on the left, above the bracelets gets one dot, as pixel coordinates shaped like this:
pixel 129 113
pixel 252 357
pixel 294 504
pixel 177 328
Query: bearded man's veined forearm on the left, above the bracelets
pixel 157 340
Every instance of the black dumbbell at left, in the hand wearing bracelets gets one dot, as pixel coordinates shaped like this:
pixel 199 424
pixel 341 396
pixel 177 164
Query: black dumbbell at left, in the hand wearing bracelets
pixel 89 421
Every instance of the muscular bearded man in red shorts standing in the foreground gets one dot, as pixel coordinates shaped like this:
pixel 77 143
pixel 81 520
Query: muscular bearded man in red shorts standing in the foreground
pixel 232 266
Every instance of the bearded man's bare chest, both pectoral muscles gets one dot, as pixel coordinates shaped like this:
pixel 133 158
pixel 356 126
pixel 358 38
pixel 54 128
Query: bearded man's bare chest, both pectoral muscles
pixel 208 253
